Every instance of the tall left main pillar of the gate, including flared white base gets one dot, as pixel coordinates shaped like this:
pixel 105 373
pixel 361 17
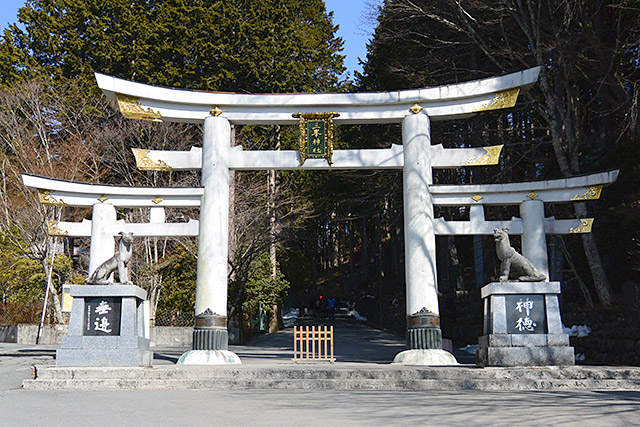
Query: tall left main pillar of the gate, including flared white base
pixel 210 335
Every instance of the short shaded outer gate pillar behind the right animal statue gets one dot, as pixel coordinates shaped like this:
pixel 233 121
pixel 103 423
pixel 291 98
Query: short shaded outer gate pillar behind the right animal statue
pixel 534 238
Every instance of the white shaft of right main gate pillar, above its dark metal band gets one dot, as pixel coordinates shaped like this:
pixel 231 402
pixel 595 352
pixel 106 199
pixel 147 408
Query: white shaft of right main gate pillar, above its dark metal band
pixel 419 236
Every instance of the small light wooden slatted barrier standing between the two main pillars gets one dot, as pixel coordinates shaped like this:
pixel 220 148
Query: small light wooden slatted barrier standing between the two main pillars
pixel 311 343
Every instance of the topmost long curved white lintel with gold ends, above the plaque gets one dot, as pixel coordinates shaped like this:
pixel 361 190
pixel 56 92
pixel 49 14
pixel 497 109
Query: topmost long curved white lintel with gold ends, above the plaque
pixel 146 102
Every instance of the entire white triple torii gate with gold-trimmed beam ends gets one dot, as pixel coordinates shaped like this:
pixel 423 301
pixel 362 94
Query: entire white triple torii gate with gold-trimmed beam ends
pixel 416 157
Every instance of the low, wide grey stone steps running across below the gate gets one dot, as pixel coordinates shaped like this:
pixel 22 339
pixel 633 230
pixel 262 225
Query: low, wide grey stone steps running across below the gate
pixel 336 377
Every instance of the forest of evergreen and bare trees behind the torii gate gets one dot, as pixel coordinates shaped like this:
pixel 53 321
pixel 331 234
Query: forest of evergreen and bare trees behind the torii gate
pixel 297 235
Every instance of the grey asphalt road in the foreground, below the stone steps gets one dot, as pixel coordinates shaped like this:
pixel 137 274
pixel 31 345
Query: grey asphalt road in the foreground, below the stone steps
pixel 317 408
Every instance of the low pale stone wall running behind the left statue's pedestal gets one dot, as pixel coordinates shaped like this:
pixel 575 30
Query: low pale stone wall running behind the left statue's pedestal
pixel 161 336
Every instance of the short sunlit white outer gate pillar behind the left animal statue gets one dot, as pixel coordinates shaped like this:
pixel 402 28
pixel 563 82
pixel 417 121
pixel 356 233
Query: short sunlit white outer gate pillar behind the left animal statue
pixel 102 247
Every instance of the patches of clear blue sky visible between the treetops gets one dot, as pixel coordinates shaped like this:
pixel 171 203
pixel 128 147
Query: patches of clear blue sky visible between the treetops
pixel 350 15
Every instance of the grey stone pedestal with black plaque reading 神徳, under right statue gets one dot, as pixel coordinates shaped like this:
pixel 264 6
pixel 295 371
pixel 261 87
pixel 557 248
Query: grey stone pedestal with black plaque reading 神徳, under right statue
pixel 522 326
